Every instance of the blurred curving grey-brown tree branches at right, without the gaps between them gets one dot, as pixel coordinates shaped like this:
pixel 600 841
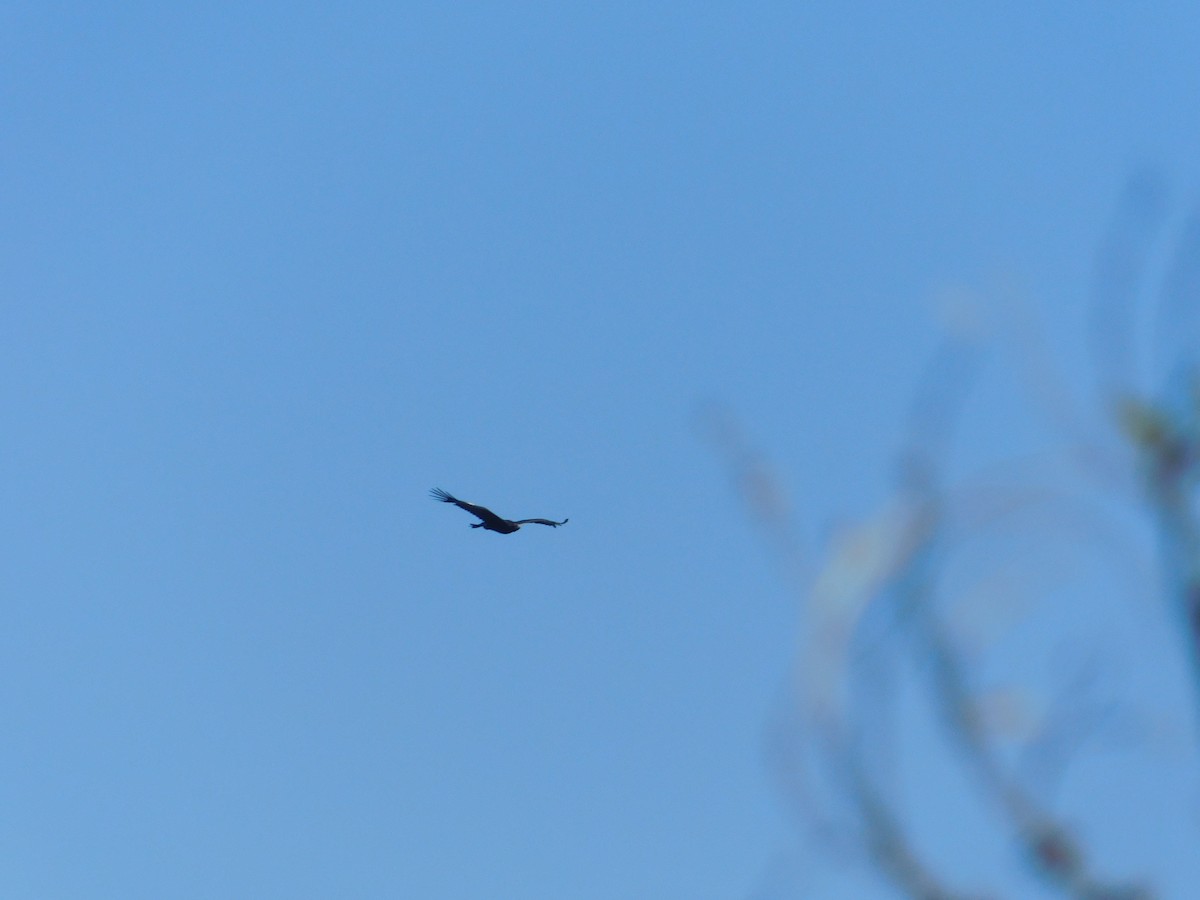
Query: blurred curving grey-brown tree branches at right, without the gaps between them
pixel 890 568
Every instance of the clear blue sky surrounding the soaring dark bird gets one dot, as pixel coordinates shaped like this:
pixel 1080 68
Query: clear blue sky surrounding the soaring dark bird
pixel 271 272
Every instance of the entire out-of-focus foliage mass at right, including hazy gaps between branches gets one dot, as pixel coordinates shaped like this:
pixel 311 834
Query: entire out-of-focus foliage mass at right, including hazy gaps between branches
pixel 965 621
